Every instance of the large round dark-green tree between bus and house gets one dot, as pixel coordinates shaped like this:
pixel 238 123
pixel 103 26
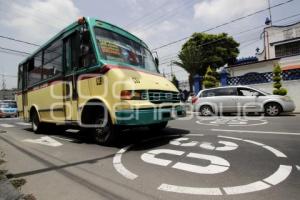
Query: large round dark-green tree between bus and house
pixel 203 50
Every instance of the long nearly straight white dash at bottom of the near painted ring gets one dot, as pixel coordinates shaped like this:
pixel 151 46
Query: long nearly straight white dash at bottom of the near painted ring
pixel 189 190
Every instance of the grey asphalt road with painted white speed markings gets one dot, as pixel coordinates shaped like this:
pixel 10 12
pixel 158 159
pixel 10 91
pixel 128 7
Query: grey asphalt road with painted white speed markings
pixel 194 158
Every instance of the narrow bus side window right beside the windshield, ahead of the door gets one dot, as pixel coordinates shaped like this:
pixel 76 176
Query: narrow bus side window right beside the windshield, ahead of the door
pixel 87 55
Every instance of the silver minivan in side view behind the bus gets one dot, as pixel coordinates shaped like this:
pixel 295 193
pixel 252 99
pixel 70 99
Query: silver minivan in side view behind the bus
pixel 236 99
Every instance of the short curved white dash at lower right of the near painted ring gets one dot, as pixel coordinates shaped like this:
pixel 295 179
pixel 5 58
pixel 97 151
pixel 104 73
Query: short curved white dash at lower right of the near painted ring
pixel 280 175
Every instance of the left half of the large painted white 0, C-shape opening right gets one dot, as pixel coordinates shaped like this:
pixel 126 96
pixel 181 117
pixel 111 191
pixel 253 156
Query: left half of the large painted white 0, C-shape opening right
pixel 149 157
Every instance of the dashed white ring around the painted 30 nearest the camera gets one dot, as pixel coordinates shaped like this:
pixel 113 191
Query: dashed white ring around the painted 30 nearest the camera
pixel 277 177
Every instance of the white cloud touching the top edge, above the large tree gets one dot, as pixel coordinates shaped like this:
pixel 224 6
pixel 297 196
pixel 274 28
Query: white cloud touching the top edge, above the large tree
pixel 221 10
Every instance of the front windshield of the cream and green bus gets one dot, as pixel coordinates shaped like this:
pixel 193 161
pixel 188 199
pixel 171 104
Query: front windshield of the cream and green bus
pixel 118 48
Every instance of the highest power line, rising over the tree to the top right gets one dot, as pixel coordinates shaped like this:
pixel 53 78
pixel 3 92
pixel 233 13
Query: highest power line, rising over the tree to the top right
pixel 224 24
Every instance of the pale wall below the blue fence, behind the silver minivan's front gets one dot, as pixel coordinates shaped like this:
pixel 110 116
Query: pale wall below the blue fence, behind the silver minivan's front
pixel 291 86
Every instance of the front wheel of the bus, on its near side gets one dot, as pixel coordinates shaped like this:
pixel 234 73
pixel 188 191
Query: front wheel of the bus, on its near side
pixel 105 133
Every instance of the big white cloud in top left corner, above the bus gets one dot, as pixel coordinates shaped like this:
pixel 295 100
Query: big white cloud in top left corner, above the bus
pixel 39 20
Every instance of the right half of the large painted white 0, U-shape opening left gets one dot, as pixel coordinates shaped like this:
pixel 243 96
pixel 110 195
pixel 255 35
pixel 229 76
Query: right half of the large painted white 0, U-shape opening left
pixel 218 164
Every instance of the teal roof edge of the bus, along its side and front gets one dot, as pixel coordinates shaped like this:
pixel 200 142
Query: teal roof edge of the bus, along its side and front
pixel 92 22
